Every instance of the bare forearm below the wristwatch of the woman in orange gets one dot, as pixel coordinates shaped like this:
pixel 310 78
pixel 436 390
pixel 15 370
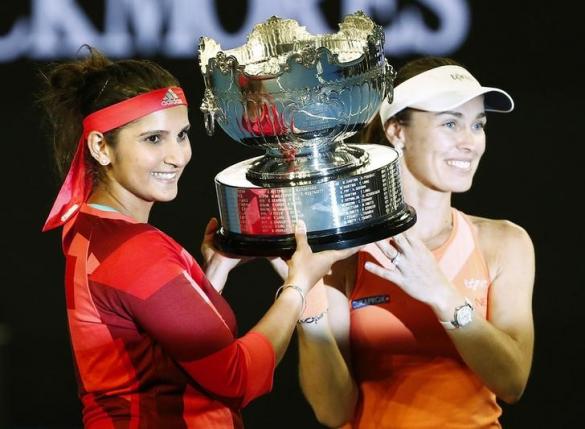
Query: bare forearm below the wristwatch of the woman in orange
pixel 502 362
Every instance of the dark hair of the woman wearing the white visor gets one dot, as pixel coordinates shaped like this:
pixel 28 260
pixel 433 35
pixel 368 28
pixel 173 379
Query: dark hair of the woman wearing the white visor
pixel 374 132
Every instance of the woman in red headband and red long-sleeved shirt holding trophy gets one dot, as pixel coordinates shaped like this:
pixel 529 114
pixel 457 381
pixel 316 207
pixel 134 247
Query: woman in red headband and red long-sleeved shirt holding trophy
pixel 154 343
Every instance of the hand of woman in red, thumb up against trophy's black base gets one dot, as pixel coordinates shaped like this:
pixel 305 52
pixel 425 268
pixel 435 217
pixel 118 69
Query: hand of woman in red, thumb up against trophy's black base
pixel 306 268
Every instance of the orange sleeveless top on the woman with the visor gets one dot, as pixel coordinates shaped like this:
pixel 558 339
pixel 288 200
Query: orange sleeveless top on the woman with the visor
pixel 408 371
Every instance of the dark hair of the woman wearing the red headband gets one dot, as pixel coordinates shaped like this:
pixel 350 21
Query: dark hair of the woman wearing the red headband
pixel 72 90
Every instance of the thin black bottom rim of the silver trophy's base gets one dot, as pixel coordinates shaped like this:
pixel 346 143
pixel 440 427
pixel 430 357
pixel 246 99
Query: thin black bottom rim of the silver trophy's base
pixel 260 245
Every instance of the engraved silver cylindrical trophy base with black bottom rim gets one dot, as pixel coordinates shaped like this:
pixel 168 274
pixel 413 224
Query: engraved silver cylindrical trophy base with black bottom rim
pixel 362 206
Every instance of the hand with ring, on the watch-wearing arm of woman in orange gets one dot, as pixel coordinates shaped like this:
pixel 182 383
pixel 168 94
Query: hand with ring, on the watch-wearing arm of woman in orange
pixel 412 267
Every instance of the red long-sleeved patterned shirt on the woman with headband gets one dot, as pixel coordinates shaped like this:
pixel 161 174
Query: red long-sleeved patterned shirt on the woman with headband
pixel 154 344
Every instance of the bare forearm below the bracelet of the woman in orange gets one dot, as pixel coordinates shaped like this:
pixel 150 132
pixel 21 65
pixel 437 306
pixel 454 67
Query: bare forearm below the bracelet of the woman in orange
pixel 325 378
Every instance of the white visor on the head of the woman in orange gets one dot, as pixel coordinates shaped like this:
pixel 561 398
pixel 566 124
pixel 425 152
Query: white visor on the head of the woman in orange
pixel 441 89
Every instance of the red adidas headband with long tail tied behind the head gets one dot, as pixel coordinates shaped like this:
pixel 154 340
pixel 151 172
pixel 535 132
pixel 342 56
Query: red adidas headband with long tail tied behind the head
pixel 77 185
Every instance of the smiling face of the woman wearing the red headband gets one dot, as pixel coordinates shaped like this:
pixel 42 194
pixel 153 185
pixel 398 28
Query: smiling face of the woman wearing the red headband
pixel 147 160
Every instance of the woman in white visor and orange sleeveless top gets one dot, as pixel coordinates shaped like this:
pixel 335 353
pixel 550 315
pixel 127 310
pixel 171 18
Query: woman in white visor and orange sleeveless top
pixel 429 328
